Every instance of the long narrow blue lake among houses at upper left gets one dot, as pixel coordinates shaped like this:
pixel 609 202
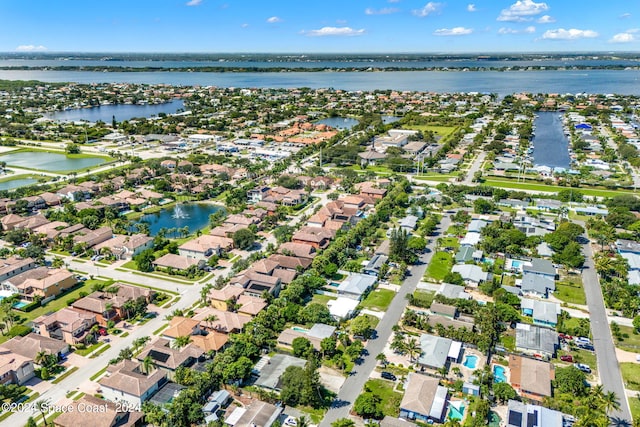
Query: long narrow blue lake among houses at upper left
pixel 121 112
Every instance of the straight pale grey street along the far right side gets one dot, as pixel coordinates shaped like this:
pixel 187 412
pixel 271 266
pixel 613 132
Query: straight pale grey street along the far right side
pixel 608 366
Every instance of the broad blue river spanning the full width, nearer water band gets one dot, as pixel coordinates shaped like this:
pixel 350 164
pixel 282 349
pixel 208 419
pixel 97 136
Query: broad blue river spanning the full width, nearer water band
pixel 625 82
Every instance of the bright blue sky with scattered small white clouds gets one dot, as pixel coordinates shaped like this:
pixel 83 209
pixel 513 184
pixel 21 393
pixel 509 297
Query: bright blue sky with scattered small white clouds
pixel 350 26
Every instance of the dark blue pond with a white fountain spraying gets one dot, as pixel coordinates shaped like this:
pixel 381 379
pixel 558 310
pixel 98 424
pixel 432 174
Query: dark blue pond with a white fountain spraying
pixel 192 215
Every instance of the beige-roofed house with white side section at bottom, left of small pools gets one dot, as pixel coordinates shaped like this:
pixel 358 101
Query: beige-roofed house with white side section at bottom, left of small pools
pixel 424 399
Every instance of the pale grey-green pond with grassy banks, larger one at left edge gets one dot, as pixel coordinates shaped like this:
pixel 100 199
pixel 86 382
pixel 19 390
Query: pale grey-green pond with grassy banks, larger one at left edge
pixel 52 162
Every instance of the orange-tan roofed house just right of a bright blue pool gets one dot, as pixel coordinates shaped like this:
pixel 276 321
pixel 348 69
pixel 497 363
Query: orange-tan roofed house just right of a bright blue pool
pixel 531 378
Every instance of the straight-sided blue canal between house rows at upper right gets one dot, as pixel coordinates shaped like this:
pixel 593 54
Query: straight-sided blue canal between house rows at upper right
pixel 551 146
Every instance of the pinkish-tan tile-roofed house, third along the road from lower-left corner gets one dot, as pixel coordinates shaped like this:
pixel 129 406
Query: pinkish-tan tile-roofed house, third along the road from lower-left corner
pixel 68 324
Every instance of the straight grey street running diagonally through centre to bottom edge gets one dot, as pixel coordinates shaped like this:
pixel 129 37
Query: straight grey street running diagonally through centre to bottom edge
pixel 355 382
